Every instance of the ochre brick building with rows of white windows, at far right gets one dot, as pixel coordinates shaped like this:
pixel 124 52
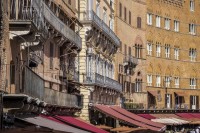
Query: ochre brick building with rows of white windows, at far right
pixel 172 35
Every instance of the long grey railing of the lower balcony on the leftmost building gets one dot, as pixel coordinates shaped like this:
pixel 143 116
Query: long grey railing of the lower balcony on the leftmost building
pixel 34 86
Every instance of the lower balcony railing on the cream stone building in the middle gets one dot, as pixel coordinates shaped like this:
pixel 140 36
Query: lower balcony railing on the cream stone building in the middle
pixel 95 78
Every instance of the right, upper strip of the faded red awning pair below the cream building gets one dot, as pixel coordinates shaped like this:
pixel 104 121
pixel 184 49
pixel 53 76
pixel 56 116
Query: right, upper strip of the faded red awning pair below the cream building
pixel 136 117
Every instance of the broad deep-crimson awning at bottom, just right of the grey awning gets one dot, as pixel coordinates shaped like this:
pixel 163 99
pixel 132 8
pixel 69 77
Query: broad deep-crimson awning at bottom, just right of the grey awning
pixel 80 124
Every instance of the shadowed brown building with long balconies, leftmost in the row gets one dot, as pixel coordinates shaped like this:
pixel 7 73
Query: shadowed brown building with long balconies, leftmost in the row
pixel 41 63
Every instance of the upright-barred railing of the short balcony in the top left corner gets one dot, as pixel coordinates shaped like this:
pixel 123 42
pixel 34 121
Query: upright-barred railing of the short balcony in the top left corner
pixel 29 11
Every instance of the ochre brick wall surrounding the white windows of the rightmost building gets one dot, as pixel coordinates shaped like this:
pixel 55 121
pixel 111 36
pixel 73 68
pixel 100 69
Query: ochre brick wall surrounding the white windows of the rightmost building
pixel 183 68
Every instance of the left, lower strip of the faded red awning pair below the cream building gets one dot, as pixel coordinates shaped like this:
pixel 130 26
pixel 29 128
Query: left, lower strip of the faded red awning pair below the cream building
pixel 114 114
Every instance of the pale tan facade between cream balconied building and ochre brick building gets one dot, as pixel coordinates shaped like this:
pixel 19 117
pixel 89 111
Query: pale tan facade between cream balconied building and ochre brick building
pixel 130 27
